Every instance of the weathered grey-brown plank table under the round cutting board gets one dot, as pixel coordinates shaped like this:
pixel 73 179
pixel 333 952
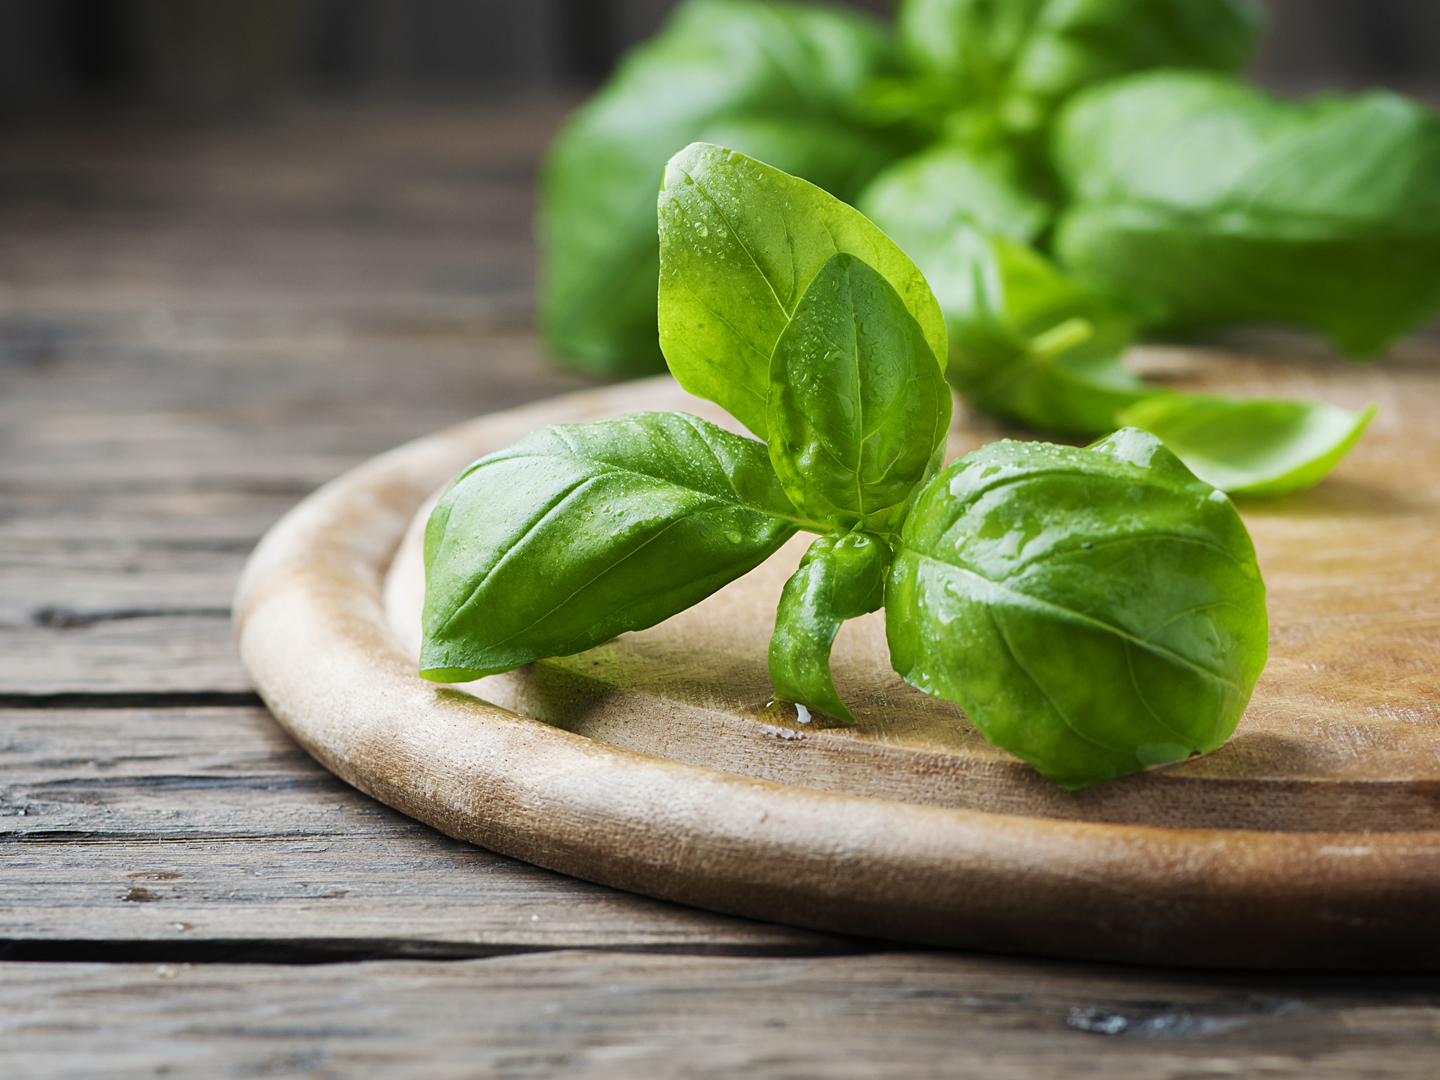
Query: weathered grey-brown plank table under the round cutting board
pixel 198 328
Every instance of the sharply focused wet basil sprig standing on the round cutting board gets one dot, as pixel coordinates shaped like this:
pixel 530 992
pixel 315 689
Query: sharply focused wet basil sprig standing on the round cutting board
pixel 1095 611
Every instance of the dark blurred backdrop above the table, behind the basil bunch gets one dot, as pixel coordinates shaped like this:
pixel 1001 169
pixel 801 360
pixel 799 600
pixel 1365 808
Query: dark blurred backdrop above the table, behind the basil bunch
pixel 222 54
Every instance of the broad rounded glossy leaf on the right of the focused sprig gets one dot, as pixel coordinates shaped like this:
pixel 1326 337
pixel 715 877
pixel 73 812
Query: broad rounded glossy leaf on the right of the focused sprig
pixel 1094 611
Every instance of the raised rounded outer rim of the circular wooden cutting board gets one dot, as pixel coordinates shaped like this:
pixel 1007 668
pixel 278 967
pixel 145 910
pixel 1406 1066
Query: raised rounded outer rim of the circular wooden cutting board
pixel 316 639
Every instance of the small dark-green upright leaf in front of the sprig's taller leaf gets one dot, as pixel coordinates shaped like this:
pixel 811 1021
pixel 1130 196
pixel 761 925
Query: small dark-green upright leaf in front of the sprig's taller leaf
pixel 859 407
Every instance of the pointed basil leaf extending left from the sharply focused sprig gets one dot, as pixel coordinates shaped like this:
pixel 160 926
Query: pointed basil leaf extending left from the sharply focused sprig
pixel 580 534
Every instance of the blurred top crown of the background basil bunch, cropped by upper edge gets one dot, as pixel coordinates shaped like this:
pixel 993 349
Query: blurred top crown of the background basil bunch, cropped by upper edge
pixel 1020 58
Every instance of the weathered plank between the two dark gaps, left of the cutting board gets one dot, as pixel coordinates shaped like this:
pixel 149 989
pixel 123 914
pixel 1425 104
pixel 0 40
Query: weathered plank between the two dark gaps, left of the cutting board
pixel 201 826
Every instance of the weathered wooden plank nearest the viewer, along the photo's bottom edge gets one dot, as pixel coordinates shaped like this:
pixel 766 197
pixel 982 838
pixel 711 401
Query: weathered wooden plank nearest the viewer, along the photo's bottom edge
pixel 604 1016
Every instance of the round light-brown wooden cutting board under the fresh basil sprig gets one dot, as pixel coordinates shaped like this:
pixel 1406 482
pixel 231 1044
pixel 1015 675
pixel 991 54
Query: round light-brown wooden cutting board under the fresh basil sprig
pixel 659 762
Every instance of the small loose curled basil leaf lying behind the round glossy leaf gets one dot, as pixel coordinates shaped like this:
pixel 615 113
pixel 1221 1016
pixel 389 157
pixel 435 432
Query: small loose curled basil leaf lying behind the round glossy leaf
pixel 1252 446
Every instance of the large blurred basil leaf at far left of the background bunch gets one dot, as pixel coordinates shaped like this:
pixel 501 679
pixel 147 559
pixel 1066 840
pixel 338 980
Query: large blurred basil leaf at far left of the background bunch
pixel 768 78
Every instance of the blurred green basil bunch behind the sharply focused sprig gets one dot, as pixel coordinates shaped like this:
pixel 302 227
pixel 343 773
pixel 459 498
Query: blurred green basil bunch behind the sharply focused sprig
pixel 1061 198
